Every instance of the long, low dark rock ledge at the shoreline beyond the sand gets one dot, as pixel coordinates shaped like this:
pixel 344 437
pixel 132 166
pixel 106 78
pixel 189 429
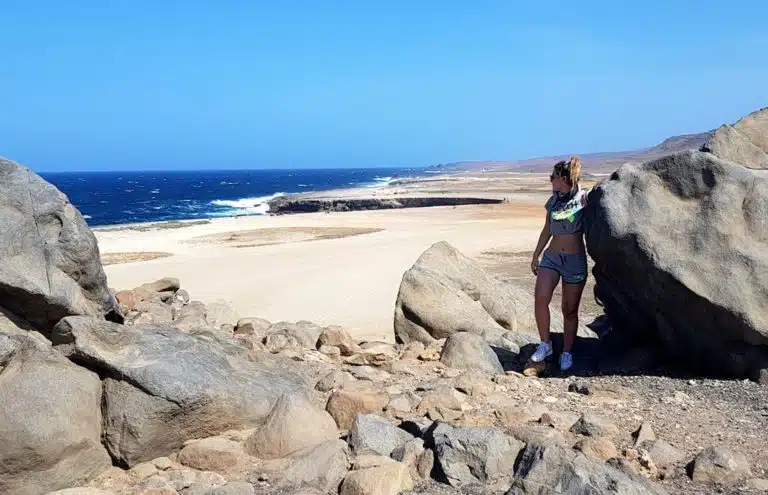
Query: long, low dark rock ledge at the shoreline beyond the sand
pixel 287 204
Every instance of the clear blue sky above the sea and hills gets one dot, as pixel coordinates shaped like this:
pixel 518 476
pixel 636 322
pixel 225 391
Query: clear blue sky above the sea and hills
pixel 113 85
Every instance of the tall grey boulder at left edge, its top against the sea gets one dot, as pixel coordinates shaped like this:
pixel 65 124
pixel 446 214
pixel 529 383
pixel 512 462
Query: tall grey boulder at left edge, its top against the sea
pixel 49 259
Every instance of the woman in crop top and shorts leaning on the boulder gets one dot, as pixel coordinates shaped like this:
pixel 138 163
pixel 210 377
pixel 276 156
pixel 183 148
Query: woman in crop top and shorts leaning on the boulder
pixel 564 258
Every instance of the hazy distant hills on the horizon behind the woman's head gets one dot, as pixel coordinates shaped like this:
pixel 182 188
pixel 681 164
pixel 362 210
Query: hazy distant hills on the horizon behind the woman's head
pixel 593 162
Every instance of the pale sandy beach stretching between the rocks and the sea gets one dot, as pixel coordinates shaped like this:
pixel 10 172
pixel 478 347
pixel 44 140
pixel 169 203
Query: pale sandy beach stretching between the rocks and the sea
pixel 329 268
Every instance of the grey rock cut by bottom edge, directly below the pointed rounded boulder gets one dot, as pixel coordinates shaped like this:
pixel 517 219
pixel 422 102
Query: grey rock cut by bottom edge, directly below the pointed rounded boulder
pixel 322 467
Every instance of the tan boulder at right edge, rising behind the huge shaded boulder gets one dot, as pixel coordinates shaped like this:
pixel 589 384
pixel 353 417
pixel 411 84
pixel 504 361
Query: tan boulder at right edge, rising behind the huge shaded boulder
pixel 745 142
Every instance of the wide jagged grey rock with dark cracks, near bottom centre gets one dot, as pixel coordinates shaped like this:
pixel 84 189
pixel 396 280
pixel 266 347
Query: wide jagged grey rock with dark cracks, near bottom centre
pixel 474 454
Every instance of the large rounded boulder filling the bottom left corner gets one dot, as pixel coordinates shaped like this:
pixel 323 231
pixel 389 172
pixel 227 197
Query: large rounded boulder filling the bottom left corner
pixel 50 419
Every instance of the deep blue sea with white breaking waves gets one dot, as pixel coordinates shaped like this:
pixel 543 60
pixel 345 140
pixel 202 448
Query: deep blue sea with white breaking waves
pixel 110 198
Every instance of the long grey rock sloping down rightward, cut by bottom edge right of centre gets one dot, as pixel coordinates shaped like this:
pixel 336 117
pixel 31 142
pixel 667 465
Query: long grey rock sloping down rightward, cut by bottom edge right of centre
pixel 551 469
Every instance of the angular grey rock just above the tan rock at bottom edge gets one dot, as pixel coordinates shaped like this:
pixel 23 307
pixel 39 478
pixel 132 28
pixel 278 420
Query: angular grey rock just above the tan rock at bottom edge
pixel 372 435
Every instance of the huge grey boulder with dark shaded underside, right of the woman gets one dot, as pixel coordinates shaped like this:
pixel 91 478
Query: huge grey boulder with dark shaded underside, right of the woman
pixel 680 246
